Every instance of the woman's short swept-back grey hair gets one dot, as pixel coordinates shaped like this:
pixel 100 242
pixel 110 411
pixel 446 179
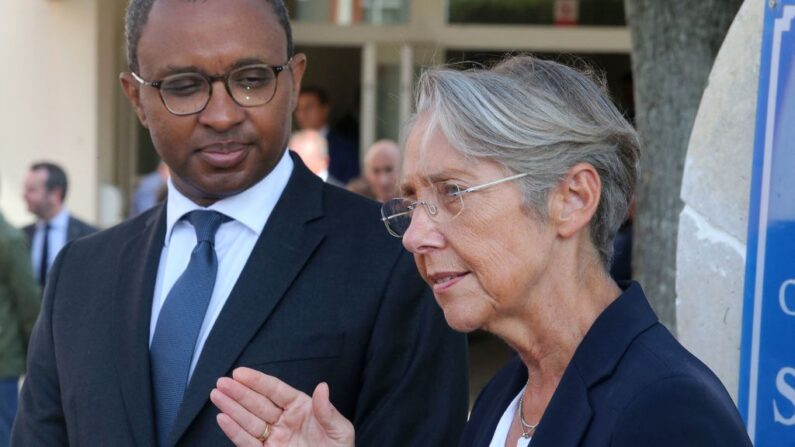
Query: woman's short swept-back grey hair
pixel 538 117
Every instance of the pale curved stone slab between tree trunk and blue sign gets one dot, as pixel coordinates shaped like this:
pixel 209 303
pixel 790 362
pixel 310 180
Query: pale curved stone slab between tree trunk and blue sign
pixel 715 190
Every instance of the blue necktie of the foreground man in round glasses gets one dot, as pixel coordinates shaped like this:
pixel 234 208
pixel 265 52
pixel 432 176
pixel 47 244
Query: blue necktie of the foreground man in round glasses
pixel 180 320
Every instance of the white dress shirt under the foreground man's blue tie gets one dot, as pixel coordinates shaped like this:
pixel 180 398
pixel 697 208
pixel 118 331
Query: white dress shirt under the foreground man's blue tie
pixel 234 242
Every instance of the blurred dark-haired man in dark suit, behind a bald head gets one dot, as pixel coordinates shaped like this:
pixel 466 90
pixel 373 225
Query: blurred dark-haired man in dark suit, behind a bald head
pixel 312 113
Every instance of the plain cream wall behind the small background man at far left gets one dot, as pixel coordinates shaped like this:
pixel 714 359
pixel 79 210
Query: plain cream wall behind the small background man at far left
pixel 48 98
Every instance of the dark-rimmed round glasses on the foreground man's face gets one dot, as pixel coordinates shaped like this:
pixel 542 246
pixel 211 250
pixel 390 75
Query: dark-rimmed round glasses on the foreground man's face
pixel 189 93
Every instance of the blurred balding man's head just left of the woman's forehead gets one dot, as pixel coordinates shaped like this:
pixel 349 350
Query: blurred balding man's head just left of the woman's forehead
pixel 381 169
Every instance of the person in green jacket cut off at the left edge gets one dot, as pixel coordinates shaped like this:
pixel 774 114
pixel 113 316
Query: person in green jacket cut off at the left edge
pixel 19 306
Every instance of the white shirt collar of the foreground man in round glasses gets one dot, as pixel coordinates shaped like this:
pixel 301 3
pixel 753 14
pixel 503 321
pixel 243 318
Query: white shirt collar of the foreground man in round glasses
pixel 252 207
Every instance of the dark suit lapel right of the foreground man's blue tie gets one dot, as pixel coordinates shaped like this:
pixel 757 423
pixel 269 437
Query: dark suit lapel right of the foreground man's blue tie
pixel 283 248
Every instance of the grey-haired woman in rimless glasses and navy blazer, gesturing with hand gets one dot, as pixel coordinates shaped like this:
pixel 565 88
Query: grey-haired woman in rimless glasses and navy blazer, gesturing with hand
pixel 515 181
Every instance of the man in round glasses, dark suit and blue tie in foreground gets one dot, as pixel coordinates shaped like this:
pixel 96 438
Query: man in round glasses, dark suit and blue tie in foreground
pixel 252 261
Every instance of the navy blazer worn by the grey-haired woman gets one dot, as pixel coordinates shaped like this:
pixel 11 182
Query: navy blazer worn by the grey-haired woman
pixel 629 383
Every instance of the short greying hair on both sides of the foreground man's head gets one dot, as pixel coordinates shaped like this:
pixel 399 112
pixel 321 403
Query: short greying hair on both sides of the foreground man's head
pixel 138 14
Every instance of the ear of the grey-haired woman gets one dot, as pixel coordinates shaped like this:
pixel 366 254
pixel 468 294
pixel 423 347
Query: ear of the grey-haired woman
pixel 575 200
